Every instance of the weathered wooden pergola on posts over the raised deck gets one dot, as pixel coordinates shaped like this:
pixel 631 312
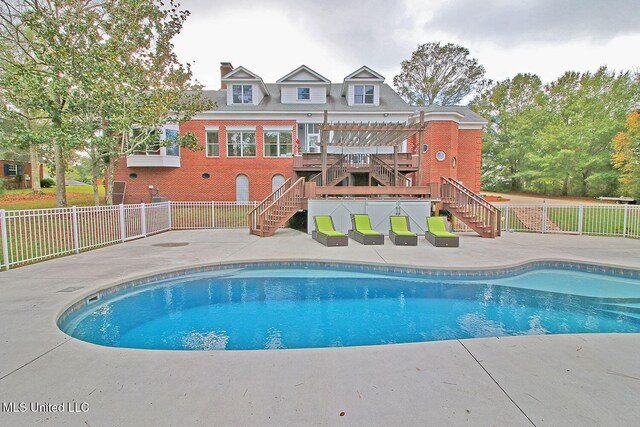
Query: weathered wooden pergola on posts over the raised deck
pixel 370 135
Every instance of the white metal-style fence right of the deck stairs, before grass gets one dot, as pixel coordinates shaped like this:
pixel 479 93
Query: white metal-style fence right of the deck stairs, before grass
pixel 597 220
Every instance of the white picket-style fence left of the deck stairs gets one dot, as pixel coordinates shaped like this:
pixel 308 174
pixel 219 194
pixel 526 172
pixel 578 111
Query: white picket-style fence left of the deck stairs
pixel 32 235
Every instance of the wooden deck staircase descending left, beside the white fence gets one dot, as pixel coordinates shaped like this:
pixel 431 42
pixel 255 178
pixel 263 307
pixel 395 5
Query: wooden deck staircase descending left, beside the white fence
pixel 277 208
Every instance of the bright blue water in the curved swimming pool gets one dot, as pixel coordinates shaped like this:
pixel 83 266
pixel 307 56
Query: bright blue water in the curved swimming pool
pixel 275 308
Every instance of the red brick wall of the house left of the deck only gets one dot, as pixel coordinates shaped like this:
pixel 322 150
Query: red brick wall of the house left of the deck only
pixel 186 182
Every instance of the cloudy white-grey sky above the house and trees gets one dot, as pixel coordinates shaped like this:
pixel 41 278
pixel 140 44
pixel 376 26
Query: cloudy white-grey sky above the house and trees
pixel 336 37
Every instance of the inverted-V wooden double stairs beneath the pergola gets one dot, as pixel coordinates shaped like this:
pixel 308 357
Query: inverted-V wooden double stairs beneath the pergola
pixel 350 163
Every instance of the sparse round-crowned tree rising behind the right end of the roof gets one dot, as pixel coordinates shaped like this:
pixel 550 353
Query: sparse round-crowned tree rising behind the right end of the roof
pixel 439 74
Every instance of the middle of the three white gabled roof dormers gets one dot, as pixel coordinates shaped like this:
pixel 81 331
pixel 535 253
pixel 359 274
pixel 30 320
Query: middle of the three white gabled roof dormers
pixel 304 86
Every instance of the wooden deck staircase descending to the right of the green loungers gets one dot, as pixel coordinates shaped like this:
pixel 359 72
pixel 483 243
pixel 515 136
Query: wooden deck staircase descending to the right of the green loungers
pixel 478 214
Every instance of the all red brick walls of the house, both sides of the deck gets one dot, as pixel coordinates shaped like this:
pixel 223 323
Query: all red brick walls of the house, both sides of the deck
pixel 187 184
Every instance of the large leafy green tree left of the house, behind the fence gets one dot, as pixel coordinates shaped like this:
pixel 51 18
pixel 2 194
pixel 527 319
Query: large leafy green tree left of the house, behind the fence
pixel 94 70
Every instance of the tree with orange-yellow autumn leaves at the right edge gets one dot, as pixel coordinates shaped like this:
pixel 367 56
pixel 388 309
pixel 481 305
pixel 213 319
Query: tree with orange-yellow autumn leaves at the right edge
pixel 626 157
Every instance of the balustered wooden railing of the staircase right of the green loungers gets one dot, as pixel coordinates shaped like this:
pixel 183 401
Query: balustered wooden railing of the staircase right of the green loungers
pixel 468 203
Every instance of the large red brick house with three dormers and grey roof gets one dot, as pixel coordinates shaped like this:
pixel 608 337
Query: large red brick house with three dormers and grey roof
pixel 261 133
